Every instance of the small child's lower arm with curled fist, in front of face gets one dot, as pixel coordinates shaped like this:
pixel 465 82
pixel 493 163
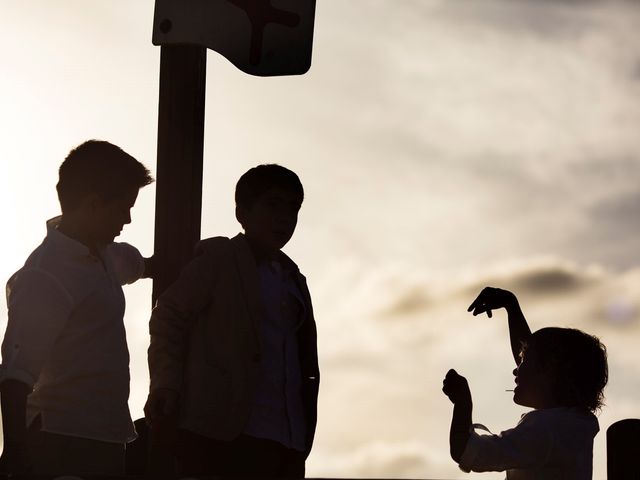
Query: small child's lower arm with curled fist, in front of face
pixel 457 389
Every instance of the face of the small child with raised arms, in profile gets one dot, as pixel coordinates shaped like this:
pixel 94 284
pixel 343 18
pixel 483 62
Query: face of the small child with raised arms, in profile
pixel 533 382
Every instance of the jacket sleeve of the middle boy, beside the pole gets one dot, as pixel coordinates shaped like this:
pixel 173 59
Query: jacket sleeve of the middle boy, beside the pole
pixel 173 316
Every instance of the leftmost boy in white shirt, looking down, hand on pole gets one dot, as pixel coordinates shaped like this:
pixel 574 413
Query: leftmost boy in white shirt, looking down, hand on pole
pixel 65 363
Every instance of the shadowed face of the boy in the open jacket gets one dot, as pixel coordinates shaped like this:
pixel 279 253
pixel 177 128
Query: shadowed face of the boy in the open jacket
pixel 270 221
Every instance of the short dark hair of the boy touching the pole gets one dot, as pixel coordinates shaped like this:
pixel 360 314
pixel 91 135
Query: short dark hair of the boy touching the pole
pixel 98 167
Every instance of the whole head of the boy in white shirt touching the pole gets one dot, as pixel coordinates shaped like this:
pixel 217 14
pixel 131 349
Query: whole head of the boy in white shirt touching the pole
pixel 98 185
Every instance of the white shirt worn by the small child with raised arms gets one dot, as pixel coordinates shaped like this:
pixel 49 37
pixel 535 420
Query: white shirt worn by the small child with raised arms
pixel 547 444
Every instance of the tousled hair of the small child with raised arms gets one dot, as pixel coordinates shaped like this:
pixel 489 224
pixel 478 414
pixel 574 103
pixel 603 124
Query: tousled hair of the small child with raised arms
pixel 576 363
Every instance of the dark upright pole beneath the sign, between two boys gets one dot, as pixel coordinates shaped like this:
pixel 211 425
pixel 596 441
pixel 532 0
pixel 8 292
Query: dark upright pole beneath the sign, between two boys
pixel 179 168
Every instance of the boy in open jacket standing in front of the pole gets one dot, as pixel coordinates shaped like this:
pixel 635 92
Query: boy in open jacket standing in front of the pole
pixel 233 343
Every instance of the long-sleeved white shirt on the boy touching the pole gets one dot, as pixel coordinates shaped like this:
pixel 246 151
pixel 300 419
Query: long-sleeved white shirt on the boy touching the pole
pixel 65 336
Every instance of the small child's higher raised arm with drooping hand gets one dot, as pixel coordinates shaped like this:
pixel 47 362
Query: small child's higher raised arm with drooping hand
pixel 493 298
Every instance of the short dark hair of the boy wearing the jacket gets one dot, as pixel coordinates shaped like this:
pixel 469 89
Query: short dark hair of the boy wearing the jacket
pixel 258 180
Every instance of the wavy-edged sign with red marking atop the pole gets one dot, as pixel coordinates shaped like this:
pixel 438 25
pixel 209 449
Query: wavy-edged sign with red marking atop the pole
pixel 260 37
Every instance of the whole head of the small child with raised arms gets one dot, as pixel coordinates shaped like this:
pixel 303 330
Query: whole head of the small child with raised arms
pixel 567 365
